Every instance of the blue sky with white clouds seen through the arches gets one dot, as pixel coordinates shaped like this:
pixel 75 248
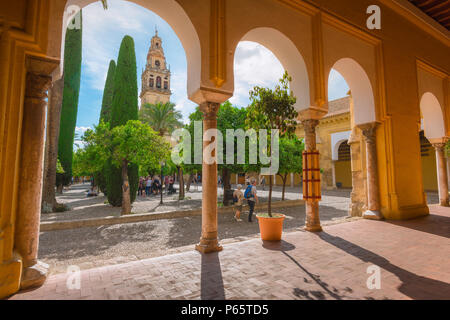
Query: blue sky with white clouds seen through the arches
pixel 103 31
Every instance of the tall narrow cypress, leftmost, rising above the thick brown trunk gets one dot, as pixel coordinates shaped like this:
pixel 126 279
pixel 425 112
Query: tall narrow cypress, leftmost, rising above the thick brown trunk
pixel 72 76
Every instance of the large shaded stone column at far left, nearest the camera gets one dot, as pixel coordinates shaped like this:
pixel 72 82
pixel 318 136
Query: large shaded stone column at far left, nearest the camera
pixel 30 189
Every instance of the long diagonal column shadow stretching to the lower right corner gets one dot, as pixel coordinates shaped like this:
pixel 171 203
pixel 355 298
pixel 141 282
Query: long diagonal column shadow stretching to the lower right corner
pixel 414 286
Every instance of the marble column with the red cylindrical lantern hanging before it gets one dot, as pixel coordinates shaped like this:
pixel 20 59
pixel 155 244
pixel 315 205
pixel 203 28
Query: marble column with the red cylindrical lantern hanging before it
pixel 312 205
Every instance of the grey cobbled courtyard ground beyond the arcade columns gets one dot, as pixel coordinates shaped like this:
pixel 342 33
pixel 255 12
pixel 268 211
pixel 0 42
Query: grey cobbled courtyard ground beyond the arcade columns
pixel 98 246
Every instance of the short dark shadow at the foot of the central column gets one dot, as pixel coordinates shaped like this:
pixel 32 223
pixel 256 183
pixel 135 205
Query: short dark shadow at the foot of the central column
pixel 211 278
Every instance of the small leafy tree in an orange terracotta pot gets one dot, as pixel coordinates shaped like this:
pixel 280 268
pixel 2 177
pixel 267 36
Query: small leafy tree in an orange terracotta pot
pixel 272 110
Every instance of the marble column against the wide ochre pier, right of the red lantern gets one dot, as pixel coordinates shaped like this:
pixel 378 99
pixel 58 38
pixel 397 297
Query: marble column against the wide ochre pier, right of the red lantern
pixel 373 194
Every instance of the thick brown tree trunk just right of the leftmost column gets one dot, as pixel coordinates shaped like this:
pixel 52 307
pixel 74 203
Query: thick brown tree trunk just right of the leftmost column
pixel 51 146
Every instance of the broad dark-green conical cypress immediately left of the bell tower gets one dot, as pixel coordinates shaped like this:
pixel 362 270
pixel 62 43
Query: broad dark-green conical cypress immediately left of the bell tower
pixel 124 108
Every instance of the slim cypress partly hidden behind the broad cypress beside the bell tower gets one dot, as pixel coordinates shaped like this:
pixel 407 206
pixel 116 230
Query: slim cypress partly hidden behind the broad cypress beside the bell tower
pixel 105 115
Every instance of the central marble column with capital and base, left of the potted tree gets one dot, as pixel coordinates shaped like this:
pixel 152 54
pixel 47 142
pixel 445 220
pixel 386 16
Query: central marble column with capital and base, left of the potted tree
pixel 209 241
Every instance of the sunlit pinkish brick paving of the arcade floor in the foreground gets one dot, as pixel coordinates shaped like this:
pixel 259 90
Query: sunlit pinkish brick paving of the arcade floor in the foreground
pixel 413 257
